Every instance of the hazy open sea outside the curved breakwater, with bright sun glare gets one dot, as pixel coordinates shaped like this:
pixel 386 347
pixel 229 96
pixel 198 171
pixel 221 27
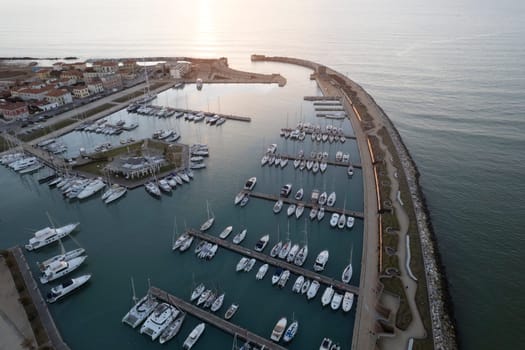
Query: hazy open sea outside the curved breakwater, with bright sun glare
pixel 450 74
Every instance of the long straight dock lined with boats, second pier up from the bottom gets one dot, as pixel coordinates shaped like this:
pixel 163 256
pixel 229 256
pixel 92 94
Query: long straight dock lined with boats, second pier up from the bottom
pixel 275 262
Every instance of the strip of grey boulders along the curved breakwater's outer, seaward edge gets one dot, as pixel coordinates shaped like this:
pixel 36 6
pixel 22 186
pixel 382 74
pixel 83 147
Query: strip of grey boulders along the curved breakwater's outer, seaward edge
pixel 443 325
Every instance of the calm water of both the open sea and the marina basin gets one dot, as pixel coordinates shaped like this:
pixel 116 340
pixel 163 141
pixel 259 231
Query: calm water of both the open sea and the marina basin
pixel 451 75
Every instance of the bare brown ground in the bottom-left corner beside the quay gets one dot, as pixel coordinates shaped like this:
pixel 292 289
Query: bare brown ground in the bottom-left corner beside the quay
pixel 14 326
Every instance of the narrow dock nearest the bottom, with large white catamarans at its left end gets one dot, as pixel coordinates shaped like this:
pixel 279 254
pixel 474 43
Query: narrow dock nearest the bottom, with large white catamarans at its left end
pixel 214 320
